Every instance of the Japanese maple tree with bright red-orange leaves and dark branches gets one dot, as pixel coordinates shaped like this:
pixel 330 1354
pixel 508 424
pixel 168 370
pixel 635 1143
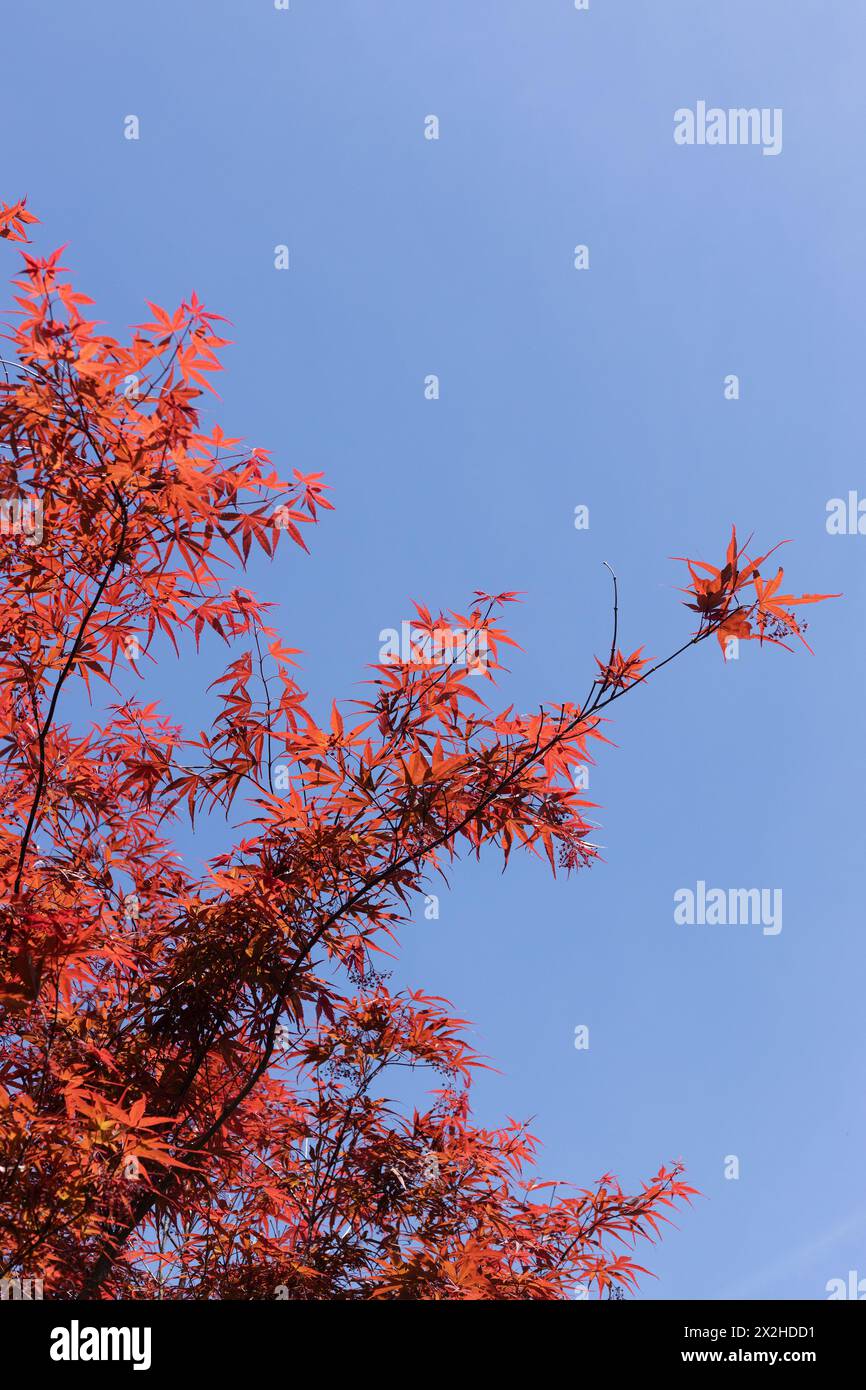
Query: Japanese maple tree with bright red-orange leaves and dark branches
pixel 194 1070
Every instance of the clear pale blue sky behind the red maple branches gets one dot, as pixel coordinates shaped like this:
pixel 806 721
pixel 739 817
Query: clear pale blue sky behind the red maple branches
pixel 558 389
